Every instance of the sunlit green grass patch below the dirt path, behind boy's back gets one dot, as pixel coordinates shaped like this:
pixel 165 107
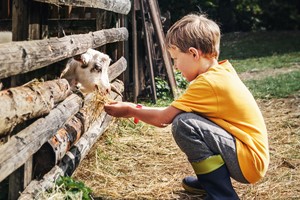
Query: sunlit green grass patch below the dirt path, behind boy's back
pixel 275 87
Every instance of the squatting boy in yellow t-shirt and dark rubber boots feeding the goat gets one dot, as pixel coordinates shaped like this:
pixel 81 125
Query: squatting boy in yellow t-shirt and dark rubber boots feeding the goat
pixel 216 122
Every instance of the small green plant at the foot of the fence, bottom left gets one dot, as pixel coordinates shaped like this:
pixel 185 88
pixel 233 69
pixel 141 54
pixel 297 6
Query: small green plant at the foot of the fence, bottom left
pixel 72 187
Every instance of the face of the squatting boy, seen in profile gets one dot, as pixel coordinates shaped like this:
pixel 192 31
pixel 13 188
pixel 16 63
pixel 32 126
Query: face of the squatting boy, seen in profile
pixel 185 63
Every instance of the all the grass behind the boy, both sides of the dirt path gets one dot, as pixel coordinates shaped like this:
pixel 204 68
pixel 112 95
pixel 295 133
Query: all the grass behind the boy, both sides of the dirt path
pixel 265 51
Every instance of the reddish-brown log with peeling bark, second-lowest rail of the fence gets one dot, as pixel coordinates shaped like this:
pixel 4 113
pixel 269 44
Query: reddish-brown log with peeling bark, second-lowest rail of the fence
pixel 71 132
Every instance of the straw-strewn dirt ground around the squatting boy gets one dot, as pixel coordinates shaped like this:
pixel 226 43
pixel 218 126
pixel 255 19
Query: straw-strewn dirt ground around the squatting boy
pixel 143 162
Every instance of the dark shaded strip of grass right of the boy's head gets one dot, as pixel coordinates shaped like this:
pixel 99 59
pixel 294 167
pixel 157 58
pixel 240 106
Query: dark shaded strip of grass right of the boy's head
pixel 259 44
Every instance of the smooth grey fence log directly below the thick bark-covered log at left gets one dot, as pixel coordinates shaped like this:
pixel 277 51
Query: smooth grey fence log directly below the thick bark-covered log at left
pixel 20 147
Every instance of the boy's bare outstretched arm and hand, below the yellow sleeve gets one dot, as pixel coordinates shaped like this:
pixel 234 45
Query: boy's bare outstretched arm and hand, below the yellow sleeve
pixel 159 117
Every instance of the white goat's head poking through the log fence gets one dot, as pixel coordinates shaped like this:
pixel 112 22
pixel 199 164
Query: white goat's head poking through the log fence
pixel 89 71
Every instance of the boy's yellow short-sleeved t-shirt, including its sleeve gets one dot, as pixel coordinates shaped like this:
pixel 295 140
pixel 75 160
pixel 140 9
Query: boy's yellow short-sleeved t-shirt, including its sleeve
pixel 221 96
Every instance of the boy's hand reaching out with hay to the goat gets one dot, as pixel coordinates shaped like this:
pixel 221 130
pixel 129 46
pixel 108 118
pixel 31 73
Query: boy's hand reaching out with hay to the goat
pixel 119 109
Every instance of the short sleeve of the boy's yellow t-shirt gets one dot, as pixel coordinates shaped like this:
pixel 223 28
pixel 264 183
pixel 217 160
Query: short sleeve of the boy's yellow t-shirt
pixel 199 97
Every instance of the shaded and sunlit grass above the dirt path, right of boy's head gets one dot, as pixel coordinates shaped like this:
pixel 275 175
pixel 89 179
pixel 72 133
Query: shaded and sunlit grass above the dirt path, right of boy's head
pixel 261 50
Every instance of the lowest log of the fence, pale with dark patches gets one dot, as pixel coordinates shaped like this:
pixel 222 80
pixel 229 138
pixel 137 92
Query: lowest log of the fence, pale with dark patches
pixel 72 159
